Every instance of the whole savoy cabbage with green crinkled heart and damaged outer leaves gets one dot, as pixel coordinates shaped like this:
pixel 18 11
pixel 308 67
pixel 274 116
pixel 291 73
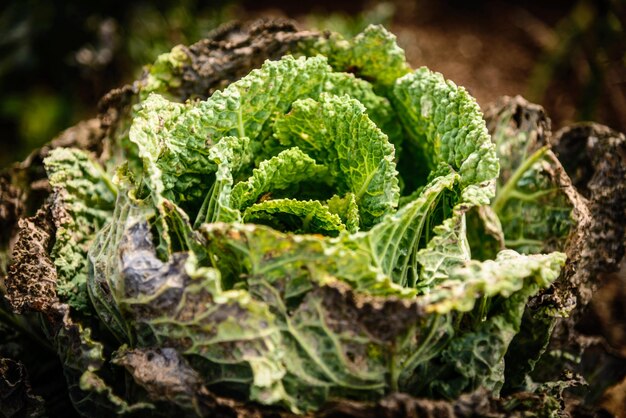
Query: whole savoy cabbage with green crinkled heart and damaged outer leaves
pixel 331 225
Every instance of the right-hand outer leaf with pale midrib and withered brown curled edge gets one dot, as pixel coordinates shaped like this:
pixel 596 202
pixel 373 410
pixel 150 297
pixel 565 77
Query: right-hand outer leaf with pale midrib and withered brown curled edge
pixel 550 215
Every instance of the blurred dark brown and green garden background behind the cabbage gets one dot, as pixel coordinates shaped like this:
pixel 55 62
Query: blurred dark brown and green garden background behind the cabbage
pixel 58 58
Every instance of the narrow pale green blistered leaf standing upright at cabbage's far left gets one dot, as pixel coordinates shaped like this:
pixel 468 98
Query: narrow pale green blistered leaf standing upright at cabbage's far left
pixel 84 202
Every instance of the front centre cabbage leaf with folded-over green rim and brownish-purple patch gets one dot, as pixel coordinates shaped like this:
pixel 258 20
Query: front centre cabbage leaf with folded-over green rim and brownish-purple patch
pixel 333 338
